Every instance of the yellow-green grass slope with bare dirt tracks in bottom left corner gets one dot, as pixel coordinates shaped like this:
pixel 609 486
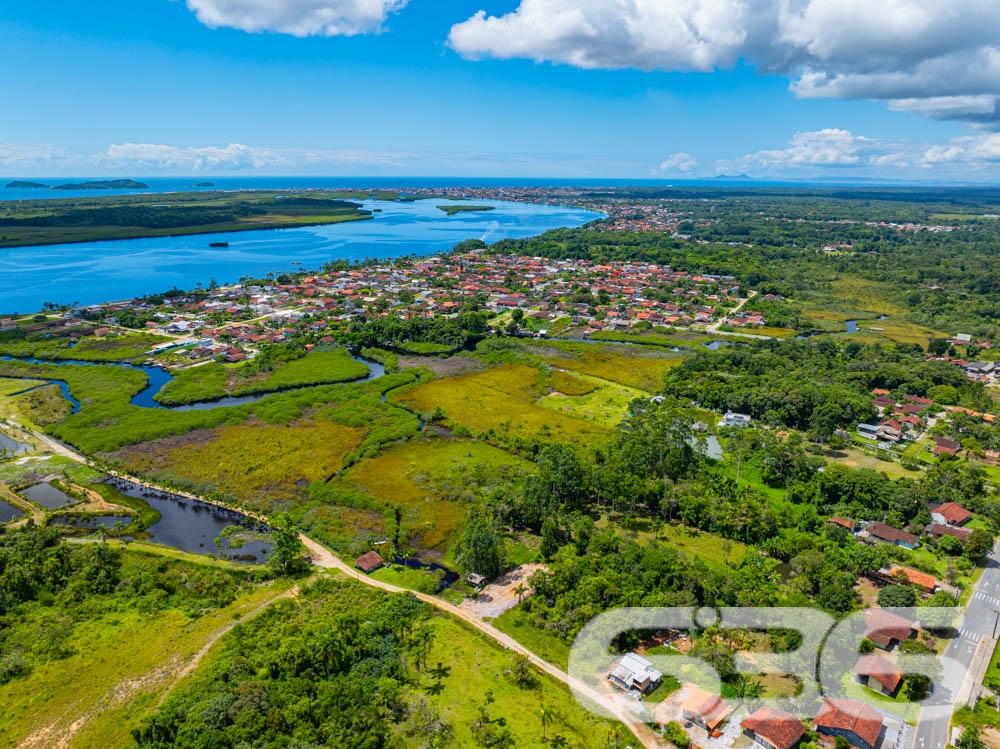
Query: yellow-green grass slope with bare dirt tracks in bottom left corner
pixel 119 664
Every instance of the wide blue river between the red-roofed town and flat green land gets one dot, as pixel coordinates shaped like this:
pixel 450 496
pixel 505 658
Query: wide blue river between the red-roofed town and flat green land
pixel 95 272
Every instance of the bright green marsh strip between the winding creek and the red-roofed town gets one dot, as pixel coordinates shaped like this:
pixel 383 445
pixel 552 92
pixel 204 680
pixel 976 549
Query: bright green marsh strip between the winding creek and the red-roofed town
pixel 213 380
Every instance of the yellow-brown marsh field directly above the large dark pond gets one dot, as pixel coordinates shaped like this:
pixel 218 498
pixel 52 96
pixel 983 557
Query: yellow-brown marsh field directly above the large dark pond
pixel 260 465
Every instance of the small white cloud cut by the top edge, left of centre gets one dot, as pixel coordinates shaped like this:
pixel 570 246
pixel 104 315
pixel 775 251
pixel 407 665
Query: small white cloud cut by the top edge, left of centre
pixel 297 17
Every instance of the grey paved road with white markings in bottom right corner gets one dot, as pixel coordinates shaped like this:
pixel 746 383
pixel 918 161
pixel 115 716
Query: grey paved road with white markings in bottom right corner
pixel 978 622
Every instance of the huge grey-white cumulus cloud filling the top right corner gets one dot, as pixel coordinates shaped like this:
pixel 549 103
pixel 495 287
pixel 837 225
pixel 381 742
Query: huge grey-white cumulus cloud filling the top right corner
pixel 939 59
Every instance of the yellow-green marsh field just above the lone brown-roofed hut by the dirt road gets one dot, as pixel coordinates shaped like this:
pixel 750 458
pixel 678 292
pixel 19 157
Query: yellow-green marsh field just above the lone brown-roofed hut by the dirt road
pixel 432 482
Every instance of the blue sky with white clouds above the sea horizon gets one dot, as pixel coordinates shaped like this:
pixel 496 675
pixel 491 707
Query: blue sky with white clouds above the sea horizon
pixel 902 90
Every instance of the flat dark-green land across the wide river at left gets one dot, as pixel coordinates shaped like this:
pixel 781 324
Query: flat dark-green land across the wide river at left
pixel 34 222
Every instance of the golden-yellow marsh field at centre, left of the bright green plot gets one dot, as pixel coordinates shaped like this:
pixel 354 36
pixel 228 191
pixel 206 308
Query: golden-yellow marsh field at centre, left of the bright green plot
pixel 500 404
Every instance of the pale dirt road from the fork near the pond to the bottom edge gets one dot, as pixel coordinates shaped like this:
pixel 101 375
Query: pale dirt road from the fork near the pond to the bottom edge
pixel 323 557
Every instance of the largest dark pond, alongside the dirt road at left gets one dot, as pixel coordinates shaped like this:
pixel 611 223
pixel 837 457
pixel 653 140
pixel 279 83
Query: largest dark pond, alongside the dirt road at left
pixel 190 525
